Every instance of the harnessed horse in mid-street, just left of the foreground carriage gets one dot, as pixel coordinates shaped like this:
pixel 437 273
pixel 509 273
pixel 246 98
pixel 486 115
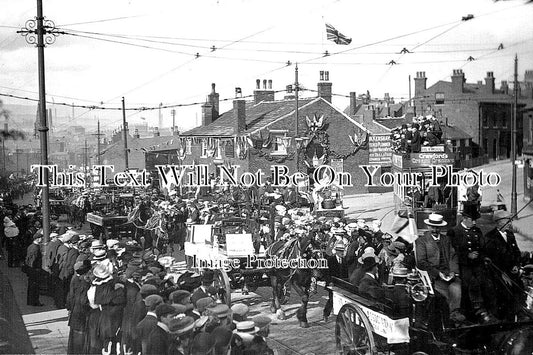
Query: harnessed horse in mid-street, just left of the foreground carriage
pixel 300 279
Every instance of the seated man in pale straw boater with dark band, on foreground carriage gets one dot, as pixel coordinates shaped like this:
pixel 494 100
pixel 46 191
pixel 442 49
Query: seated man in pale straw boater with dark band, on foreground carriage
pixel 436 255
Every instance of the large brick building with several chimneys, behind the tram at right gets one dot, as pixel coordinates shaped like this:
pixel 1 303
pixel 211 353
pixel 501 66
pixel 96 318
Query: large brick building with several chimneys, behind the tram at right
pixel 479 109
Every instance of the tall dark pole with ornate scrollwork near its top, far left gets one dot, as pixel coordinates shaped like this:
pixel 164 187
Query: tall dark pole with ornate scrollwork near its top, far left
pixel 41 32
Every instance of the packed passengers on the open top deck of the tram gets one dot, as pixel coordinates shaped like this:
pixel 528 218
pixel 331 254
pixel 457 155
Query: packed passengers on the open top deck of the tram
pixel 410 137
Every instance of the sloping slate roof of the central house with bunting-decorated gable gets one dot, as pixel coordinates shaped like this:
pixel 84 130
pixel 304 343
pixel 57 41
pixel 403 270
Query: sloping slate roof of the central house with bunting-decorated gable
pixel 257 116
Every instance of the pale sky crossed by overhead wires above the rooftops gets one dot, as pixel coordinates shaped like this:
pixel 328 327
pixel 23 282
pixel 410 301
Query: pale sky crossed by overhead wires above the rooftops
pixel 253 39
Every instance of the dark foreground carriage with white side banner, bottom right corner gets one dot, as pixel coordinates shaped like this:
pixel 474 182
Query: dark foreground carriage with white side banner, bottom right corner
pixel 410 321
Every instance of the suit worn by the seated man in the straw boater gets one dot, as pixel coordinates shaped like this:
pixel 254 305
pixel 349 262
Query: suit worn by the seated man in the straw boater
pixel 428 258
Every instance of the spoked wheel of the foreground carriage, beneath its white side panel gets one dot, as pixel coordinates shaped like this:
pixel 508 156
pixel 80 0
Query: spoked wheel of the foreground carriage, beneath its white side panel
pixel 353 332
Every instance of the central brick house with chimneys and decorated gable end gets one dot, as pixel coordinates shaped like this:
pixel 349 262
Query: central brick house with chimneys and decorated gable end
pixel 259 133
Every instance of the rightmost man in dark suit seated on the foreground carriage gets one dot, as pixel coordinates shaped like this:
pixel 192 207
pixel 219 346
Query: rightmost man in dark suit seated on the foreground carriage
pixel 501 250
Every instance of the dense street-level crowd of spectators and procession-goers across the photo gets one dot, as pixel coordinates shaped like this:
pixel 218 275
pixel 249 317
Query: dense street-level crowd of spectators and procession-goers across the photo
pixel 122 293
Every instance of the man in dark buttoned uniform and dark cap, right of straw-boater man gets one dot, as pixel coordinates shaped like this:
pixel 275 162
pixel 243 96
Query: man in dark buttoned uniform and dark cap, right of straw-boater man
pixel 466 239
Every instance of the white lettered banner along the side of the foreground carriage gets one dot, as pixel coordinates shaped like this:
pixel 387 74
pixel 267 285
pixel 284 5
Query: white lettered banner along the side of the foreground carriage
pixel 396 331
